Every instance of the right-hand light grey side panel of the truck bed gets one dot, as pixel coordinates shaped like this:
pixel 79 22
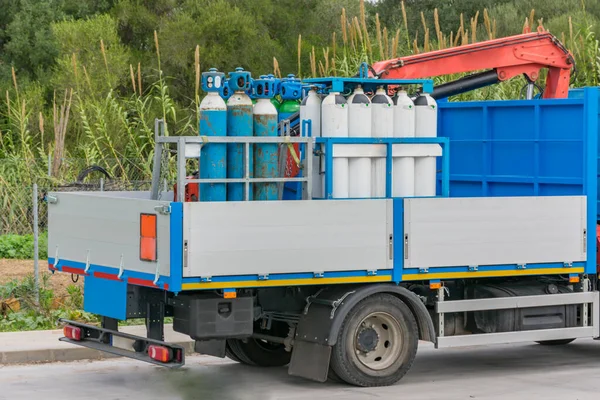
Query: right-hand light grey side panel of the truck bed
pixel 494 230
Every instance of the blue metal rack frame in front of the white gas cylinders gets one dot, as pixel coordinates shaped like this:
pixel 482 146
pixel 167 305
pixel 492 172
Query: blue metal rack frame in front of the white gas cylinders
pixel 330 142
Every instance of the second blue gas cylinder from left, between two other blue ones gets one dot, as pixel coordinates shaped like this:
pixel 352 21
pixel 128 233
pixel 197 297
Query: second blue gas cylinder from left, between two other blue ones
pixel 239 123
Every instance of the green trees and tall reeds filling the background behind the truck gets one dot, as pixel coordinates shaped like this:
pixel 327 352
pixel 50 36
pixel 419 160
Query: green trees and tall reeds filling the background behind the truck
pixel 82 81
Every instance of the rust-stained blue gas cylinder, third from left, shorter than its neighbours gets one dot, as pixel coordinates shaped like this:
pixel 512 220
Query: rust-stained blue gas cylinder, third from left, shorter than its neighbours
pixel 266 156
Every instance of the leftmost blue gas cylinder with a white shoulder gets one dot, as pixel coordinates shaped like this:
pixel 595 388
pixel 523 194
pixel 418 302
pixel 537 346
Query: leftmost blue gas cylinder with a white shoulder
pixel 213 122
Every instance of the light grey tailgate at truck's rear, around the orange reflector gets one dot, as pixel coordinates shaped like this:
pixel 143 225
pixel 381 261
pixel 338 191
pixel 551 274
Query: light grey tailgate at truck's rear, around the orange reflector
pixel 108 227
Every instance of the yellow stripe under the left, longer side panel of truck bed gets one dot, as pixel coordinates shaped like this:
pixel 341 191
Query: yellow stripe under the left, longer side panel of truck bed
pixel 285 282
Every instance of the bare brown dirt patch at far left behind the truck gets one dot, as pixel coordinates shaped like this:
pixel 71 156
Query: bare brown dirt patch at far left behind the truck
pixel 19 269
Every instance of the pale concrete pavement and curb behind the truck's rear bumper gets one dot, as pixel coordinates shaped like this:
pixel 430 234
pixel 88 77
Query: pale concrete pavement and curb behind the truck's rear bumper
pixel 44 346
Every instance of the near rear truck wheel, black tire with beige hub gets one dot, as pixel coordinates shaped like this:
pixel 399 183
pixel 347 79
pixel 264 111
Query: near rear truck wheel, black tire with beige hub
pixel 377 342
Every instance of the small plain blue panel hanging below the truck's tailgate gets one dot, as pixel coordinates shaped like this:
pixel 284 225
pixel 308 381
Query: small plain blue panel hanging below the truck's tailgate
pixel 105 297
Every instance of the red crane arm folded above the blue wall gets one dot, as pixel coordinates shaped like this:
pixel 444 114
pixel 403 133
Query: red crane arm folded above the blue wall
pixel 524 54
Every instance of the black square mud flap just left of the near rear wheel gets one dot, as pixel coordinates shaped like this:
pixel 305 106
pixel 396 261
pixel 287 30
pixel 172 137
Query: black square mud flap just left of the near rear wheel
pixel 310 361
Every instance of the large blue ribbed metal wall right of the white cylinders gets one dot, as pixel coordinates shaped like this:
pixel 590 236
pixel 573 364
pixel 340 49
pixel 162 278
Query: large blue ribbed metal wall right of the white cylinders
pixel 526 148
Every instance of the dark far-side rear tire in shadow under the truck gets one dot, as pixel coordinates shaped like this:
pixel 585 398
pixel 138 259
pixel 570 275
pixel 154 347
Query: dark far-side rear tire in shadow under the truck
pixel 258 353
